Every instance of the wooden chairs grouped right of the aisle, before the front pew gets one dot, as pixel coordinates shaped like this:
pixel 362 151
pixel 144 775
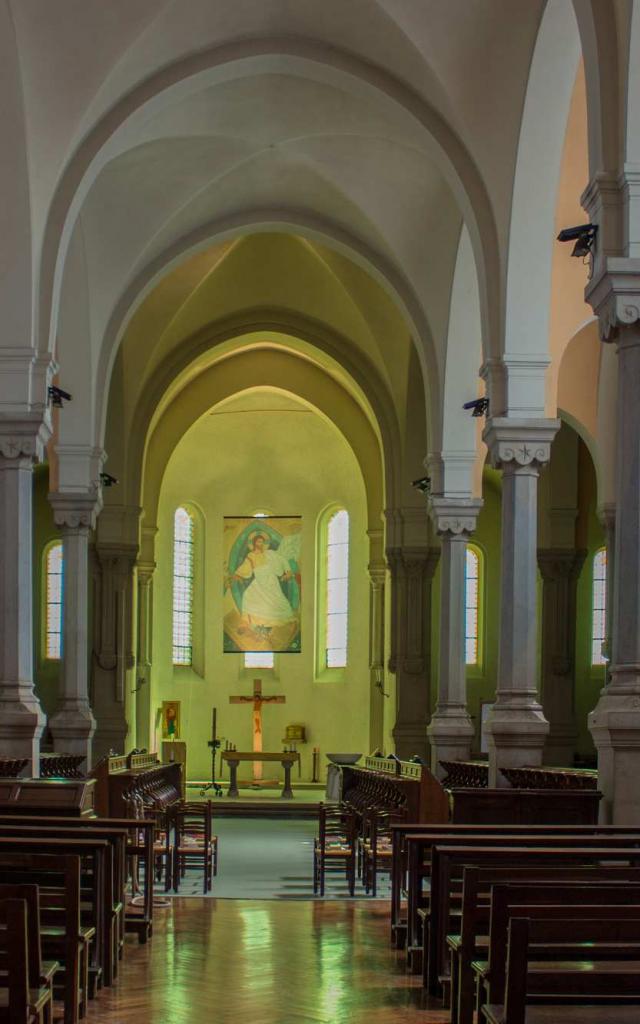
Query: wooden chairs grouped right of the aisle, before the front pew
pixel 357 841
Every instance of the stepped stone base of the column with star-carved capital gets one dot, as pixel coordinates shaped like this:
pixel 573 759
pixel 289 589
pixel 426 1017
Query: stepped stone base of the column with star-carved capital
pixel 517 740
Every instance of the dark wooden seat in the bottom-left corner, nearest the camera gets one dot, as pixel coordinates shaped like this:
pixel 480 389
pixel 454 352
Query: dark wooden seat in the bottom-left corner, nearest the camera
pixel 23 999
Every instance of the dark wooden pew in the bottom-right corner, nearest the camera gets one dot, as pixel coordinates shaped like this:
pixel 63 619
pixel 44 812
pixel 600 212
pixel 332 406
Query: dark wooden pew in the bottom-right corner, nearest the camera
pixel 621 985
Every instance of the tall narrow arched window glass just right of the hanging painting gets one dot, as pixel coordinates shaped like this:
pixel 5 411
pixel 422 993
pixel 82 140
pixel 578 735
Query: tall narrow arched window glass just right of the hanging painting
pixel 337 589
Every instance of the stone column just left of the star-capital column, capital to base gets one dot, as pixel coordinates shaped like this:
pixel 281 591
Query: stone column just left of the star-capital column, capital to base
pixel 451 732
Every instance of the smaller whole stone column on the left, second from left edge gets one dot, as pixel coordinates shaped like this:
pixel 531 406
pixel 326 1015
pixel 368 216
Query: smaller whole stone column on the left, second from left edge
pixel 73 724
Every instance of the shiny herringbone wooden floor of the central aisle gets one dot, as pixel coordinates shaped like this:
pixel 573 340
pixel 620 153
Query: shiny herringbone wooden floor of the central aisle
pixel 265 963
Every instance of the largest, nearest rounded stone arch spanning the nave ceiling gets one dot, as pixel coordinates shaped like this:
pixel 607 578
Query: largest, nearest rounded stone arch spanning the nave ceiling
pixel 240 58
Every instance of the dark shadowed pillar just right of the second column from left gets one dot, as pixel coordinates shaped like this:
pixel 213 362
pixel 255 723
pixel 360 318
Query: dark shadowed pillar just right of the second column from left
pixel 116 553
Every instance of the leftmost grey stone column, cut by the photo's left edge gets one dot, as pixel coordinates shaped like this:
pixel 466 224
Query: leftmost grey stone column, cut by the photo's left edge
pixel 22 719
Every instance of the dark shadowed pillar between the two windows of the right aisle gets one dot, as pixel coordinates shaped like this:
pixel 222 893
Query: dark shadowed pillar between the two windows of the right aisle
pixel 561 571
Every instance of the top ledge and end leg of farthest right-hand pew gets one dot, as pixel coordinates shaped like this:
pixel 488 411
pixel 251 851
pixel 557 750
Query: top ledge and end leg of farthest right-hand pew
pixel 399 854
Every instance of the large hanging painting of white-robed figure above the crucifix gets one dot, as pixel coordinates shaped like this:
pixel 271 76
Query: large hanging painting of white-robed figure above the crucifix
pixel 263 584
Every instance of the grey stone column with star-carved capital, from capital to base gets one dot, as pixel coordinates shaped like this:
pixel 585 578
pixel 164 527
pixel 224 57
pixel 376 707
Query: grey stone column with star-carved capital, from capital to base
pixel 518 729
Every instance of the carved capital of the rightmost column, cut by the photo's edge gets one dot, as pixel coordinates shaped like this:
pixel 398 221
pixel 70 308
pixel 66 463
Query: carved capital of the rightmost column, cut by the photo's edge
pixel 614 294
